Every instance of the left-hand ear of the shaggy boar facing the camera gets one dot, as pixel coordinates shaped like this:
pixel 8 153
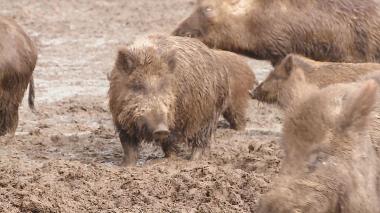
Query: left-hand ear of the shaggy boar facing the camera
pixel 126 60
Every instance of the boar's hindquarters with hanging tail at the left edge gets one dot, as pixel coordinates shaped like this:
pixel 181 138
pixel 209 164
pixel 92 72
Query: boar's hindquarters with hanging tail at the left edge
pixel 18 57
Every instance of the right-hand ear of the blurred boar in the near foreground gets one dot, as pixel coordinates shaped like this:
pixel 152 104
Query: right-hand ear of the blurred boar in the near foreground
pixel 358 106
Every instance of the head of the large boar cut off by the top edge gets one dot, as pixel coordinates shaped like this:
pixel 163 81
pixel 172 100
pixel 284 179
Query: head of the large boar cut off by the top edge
pixel 217 23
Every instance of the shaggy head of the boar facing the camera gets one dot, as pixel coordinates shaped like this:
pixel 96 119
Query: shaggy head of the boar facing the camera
pixel 146 92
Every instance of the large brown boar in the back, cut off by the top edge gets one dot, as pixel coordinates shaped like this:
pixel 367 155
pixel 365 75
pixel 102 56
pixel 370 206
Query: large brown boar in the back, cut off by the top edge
pixel 338 31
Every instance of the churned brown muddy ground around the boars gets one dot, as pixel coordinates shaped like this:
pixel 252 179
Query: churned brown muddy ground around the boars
pixel 66 158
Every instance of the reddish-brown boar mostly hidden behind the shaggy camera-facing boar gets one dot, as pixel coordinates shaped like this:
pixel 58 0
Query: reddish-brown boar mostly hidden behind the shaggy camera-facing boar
pixel 242 79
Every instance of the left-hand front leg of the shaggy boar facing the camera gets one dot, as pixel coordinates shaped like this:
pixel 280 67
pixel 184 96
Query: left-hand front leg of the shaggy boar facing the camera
pixel 130 147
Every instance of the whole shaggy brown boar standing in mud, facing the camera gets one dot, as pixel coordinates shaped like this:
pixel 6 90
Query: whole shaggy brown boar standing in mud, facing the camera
pixel 167 89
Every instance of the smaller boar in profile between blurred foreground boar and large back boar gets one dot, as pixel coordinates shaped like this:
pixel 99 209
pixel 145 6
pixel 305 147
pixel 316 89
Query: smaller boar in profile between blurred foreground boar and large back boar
pixel 320 74
